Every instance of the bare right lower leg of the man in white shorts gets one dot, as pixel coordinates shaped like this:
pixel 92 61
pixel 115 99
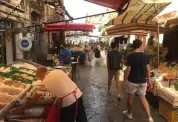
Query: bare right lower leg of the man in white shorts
pixel 145 105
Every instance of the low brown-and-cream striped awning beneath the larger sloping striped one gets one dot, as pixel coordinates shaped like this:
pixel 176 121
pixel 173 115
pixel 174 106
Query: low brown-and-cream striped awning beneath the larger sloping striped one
pixel 134 29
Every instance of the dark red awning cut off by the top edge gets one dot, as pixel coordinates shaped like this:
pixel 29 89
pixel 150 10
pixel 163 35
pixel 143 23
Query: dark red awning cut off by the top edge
pixel 114 4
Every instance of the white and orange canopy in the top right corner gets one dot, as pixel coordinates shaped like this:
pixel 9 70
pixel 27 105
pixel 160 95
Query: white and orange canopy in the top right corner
pixel 171 12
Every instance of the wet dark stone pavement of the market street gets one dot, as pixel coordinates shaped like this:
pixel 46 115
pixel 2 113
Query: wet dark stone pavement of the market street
pixel 102 106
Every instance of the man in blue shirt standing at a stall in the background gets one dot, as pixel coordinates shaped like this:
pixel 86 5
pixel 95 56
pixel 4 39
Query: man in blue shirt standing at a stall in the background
pixel 65 55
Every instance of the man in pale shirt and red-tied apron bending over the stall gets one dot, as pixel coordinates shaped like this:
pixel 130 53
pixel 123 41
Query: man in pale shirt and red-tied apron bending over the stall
pixel 68 94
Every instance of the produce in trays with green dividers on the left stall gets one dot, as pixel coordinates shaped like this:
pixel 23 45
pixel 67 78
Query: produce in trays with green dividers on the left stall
pixel 17 88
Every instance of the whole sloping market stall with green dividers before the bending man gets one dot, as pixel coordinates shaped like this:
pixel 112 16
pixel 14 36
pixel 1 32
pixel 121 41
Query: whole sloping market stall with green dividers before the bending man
pixel 20 98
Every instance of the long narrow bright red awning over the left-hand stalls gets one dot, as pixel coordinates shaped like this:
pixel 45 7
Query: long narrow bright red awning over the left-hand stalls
pixel 69 27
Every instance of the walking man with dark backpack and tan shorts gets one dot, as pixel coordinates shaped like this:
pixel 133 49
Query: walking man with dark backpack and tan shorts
pixel 114 62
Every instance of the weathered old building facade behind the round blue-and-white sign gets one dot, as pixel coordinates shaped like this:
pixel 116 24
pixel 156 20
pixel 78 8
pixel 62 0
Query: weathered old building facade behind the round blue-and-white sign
pixel 25 18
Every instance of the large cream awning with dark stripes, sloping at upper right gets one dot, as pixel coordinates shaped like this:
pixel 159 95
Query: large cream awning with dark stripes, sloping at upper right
pixel 139 12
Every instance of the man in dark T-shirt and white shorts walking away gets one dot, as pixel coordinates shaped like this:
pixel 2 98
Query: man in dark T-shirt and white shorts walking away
pixel 135 79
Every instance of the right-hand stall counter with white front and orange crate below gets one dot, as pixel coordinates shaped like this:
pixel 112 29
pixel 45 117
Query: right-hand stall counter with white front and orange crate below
pixel 165 87
